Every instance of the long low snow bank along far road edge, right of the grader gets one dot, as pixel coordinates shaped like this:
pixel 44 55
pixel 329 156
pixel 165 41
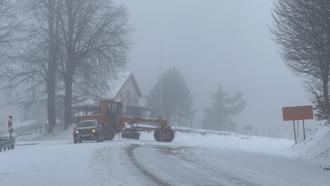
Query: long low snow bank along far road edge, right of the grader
pixel 229 140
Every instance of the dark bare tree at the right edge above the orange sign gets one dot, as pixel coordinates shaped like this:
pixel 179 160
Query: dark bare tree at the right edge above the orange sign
pixel 302 29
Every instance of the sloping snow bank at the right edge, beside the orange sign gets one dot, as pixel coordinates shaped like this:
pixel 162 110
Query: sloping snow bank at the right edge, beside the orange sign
pixel 316 149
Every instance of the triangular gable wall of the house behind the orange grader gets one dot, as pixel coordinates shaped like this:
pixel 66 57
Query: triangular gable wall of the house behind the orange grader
pixel 128 95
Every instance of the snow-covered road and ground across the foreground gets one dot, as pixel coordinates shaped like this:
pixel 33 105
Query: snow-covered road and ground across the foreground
pixel 193 158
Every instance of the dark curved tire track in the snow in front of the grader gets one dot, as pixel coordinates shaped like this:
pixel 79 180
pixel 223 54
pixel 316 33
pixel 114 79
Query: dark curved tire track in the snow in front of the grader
pixel 144 170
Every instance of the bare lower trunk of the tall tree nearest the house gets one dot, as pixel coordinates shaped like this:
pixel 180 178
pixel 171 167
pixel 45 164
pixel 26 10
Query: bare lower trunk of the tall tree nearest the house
pixel 68 101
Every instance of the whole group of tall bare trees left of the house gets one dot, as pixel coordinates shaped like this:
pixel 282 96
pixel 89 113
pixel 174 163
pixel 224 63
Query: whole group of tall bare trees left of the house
pixel 54 50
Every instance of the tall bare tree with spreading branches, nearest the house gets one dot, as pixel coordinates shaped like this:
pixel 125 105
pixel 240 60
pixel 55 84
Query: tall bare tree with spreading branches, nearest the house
pixel 94 33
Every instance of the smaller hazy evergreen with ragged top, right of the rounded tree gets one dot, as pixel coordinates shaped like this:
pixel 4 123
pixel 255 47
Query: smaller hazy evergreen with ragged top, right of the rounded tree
pixel 218 117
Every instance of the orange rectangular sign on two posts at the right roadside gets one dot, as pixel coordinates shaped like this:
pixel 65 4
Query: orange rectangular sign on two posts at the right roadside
pixel 295 114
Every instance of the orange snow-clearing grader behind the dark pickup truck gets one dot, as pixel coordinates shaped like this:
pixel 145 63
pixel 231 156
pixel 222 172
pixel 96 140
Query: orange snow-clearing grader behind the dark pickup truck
pixel 113 121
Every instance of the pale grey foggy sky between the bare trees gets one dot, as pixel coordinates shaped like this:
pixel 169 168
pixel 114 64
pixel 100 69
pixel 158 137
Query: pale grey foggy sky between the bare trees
pixel 211 42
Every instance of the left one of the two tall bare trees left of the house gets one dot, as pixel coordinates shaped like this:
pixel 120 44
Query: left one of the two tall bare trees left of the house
pixel 32 72
